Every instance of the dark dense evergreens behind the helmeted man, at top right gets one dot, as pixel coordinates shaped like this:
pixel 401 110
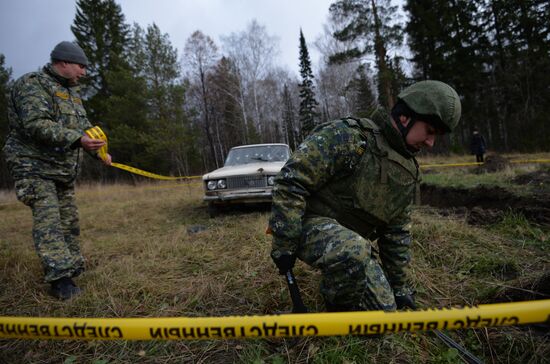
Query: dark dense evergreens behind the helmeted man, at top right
pixel 495 54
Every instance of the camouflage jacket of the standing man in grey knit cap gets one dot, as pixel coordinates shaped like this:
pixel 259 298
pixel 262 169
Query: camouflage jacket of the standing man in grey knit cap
pixel 46 120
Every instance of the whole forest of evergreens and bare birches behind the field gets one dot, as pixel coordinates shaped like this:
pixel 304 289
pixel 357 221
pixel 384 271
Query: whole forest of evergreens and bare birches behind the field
pixel 178 112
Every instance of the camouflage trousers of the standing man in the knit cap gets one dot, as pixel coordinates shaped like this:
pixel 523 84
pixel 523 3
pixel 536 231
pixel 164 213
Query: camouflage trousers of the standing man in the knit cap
pixel 56 229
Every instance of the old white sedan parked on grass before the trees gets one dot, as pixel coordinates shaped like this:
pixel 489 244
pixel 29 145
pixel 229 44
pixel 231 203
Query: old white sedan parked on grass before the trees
pixel 247 175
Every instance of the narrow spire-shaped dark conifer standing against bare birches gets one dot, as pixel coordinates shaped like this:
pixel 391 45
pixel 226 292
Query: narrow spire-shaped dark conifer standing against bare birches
pixel 308 104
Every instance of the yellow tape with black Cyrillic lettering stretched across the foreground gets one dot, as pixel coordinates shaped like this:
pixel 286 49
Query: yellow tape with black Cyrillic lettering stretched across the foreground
pixel 288 325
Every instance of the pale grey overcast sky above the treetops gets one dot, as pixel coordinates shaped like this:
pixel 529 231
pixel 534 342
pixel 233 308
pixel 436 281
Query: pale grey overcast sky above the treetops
pixel 29 29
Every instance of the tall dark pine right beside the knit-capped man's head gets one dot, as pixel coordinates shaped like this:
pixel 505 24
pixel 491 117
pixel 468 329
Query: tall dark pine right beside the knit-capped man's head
pixel 115 96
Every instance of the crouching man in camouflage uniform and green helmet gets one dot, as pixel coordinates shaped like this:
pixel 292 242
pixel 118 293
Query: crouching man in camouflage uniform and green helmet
pixel 351 183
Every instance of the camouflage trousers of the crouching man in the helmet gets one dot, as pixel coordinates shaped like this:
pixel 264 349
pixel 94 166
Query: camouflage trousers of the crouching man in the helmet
pixel 352 279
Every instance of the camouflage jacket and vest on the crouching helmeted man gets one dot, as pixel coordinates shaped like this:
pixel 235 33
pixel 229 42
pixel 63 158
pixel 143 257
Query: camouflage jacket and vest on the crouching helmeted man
pixel 358 172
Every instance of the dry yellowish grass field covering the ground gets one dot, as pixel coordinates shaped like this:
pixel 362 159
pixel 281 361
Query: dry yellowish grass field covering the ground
pixel 144 259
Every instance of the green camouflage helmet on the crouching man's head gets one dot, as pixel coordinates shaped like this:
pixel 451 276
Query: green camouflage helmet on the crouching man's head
pixel 434 99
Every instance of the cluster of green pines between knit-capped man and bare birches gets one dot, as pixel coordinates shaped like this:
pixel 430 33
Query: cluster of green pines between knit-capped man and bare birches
pixel 136 93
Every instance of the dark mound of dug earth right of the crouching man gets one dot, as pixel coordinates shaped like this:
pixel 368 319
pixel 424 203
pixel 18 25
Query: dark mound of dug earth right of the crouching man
pixel 487 205
